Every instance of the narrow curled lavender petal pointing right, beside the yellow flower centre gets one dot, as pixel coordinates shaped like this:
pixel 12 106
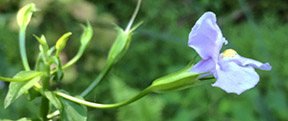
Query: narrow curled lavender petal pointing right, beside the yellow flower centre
pixel 250 62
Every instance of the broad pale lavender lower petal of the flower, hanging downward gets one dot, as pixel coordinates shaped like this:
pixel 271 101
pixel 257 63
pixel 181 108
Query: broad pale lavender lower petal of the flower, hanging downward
pixel 234 78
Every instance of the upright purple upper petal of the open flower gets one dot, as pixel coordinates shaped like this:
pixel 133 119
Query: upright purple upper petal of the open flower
pixel 206 37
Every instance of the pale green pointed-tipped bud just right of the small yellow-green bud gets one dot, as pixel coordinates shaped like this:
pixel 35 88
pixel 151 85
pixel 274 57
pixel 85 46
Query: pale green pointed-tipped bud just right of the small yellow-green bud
pixel 87 34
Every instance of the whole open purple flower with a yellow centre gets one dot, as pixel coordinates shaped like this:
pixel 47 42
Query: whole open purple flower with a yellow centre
pixel 234 74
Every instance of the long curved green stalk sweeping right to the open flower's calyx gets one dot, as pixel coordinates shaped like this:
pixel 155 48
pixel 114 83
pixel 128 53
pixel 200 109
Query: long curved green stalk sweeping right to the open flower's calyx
pixel 105 106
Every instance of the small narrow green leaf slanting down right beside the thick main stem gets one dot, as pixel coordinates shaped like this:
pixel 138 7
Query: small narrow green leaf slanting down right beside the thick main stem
pixel 54 100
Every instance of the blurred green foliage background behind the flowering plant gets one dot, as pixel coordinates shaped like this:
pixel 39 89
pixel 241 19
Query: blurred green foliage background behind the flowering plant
pixel 256 29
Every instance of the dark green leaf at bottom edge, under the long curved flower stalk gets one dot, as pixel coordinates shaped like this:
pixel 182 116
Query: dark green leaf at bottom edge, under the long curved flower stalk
pixel 73 111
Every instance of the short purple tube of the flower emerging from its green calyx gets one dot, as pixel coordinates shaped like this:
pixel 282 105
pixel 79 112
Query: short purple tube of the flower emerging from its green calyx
pixel 204 66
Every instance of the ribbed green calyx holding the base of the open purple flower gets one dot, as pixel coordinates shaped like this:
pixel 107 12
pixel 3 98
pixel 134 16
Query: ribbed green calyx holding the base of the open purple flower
pixel 176 81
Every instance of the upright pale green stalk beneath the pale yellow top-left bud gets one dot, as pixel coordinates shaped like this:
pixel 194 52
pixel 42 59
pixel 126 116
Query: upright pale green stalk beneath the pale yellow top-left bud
pixel 23 49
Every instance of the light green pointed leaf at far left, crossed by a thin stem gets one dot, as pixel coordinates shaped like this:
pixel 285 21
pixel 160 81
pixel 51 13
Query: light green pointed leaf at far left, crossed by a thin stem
pixel 16 89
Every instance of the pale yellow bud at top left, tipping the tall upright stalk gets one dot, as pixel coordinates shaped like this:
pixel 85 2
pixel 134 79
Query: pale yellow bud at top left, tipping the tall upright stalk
pixel 24 14
